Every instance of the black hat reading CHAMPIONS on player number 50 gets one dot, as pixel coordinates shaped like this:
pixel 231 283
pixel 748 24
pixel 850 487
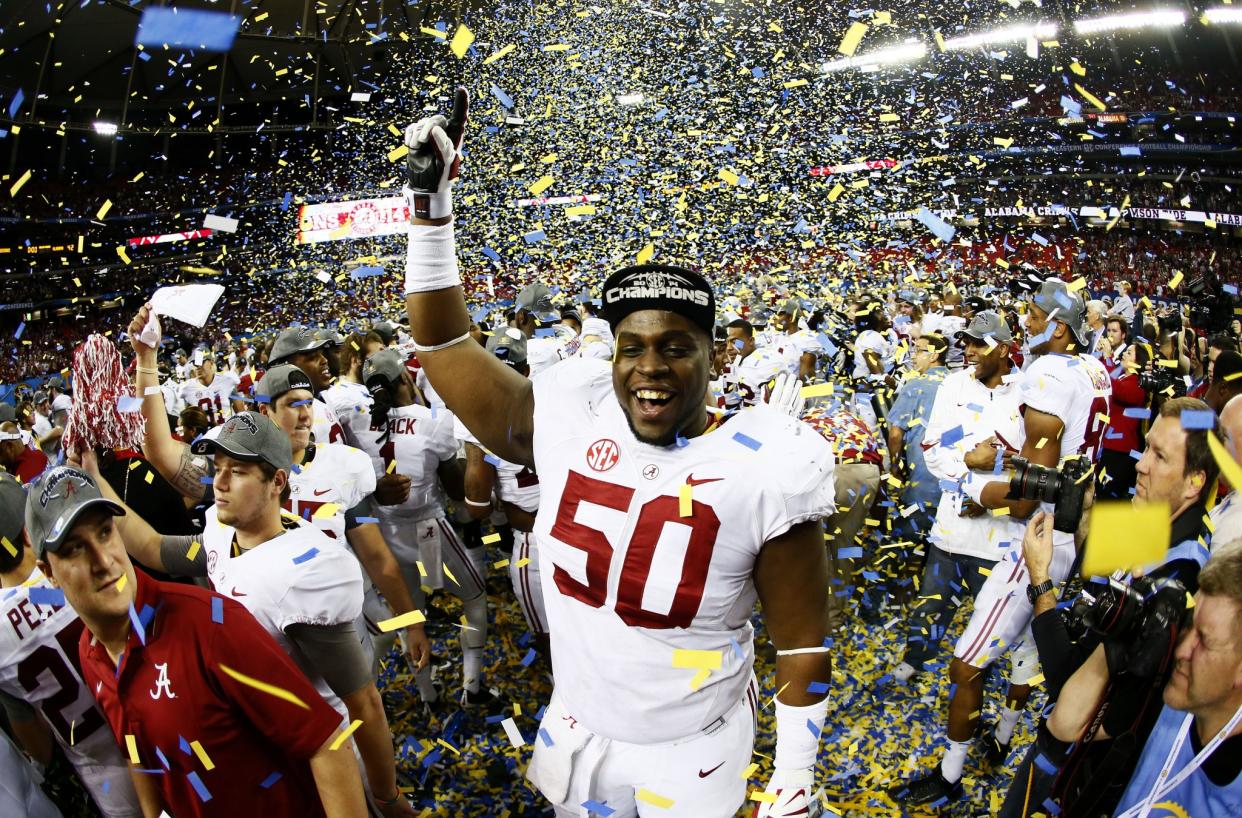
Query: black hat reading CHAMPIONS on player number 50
pixel 665 287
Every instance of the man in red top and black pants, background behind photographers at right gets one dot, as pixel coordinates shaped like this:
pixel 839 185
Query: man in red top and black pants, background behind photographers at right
pixel 1130 400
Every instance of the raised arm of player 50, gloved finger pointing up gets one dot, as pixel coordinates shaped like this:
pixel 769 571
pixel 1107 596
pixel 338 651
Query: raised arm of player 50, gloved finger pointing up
pixel 494 402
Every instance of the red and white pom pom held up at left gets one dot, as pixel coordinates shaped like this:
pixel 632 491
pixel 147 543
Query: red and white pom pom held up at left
pixel 100 389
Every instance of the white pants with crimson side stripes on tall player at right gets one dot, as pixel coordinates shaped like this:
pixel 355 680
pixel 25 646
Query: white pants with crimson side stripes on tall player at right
pixel 1003 614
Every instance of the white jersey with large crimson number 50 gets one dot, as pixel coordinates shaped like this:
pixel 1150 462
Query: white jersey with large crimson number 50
pixel 629 582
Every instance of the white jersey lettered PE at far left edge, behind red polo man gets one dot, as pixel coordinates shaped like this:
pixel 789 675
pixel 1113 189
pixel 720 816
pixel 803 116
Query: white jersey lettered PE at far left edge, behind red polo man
pixel 39 665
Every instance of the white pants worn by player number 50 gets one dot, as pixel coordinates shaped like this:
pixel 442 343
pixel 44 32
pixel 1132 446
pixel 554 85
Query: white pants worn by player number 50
pixel 695 778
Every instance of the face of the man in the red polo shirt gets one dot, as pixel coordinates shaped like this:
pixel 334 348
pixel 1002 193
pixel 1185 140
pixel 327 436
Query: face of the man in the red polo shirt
pixel 89 568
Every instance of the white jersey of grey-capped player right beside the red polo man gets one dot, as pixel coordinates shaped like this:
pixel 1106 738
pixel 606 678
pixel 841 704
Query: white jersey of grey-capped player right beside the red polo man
pixel 299 578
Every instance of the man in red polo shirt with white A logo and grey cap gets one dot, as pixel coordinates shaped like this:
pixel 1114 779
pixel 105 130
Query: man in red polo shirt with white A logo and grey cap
pixel 214 716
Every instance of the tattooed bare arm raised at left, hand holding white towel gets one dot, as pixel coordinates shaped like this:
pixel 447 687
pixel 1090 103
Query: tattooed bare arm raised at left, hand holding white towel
pixel 171 457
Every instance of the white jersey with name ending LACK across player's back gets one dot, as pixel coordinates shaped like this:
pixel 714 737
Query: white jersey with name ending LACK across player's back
pixel 414 443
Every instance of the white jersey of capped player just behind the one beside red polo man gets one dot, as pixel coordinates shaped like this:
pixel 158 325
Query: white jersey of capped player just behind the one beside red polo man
pixel 338 475
